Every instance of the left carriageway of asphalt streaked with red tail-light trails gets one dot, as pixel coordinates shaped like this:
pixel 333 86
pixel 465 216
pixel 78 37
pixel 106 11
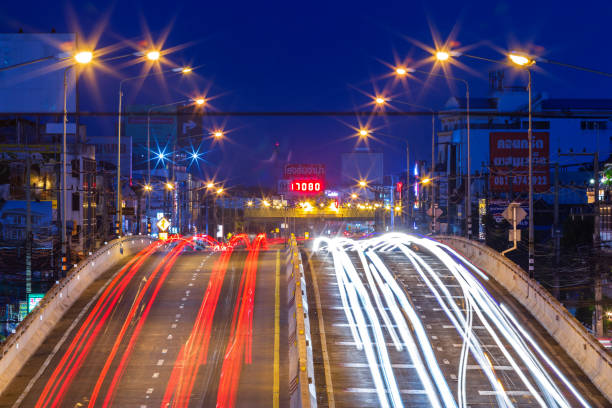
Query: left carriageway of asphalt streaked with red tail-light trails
pixel 163 337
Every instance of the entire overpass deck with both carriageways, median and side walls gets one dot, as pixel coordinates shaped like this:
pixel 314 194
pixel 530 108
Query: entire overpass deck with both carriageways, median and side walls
pixel 394 321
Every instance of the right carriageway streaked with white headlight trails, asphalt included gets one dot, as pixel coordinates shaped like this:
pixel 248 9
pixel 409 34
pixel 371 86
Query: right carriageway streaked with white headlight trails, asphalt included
pixel 370 356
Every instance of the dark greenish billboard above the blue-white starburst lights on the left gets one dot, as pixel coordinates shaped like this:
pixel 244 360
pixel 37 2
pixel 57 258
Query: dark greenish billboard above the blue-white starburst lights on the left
pixel 161 131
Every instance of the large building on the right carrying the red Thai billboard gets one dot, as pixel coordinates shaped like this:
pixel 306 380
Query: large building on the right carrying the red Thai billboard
pixel 566 133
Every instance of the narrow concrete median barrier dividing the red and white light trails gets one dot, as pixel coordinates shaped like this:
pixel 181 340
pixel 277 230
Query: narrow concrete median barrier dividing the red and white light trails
pixel 302 390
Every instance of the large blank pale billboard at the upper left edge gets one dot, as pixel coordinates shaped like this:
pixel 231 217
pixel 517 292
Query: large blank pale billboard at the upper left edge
pixel 36 87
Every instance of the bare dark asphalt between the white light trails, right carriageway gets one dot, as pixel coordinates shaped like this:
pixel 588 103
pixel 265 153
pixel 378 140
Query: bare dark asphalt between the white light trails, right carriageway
pixel 349 381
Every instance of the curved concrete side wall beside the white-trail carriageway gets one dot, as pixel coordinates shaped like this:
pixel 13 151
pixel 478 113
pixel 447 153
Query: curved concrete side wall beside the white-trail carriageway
pixel 580 345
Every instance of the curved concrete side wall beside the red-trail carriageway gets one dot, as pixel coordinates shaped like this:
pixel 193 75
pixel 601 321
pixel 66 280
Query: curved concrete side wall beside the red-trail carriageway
pixel 33 330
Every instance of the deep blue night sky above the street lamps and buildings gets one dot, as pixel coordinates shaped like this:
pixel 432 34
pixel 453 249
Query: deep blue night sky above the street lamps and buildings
pixel 310 56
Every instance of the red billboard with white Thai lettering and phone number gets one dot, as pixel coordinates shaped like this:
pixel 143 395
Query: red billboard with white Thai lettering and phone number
pixel 509 161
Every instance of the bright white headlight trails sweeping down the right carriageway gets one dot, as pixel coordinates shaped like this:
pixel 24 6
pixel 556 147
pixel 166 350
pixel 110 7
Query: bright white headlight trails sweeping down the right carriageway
pixel 375 302
